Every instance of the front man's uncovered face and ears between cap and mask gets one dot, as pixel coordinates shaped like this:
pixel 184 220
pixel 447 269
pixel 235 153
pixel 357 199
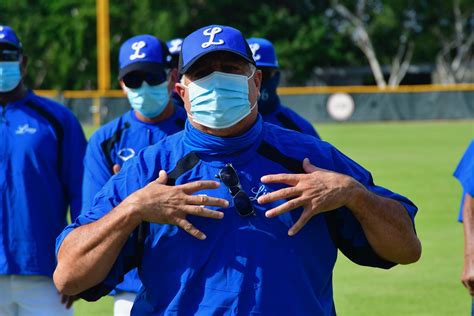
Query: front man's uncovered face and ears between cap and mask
pixel 223 62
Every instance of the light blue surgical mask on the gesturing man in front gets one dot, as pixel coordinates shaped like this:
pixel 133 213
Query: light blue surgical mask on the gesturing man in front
pixel 220 100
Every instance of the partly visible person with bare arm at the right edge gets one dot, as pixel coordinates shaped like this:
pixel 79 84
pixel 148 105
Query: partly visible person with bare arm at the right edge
pixel 465 174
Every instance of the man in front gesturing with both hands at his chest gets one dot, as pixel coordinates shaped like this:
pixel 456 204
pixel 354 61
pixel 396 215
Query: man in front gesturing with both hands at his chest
pixel 262 237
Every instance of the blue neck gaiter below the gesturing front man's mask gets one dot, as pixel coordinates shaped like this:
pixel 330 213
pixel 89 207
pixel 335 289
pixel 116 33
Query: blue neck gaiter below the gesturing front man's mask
pixel 211 145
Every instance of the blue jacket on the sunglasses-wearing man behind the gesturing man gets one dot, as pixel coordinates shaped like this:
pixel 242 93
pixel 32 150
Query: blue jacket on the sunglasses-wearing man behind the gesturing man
pixel 115 143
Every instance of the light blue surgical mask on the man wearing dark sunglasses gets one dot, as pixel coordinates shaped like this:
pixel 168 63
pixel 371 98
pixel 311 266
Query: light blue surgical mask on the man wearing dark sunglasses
pixel 149 100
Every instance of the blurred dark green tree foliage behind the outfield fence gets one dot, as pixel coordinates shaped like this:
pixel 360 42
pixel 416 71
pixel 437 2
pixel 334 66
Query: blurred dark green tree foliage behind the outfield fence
pixel 60 35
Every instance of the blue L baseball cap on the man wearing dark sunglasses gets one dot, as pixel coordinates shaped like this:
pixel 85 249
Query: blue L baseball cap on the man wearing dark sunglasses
pixel 143 53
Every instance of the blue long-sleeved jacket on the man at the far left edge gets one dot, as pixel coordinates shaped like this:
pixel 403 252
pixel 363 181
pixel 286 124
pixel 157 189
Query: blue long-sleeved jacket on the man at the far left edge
pixel 41 150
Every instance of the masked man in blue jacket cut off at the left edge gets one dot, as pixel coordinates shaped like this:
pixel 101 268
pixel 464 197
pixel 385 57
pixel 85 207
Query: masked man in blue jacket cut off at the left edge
pixel 41 150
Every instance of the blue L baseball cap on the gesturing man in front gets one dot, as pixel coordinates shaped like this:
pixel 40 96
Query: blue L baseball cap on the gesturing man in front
pixel 210 39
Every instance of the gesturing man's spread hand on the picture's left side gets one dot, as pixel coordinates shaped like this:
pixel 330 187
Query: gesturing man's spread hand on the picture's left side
pixel 163 204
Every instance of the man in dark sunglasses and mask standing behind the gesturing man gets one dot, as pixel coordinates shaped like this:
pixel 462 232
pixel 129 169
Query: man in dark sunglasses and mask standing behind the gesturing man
pixel 147 83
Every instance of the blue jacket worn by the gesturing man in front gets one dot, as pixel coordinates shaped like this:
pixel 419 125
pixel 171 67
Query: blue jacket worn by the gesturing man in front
pixel 247 265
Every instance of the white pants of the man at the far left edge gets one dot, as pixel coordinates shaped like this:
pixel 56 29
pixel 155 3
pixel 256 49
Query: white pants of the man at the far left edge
pixel 30 296
